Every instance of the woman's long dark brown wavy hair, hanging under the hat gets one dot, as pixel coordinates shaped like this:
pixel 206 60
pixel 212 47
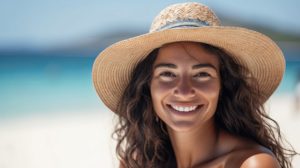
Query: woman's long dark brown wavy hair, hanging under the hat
pixel 142 140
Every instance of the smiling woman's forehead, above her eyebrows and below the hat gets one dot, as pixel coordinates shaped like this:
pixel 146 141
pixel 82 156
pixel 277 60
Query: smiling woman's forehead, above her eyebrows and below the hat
pixel 186 52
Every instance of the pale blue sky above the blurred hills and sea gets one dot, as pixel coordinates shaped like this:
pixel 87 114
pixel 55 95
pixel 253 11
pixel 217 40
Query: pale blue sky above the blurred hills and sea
pixel 38 23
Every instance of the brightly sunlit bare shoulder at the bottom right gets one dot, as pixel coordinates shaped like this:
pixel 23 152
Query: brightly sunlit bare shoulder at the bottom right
pixel 261 160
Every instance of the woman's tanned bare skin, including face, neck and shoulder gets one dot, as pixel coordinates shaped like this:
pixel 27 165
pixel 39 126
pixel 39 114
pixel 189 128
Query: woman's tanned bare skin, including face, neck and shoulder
pixel 185 89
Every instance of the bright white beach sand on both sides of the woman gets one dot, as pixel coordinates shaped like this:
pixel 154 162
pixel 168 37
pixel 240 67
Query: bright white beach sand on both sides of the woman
pixel 83 140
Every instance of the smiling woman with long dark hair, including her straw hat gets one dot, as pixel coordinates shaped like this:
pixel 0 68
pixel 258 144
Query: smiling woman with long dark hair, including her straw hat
pixel 190 93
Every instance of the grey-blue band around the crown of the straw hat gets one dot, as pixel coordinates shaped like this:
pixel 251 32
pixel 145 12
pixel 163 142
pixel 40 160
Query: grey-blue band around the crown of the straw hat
pixel 188 23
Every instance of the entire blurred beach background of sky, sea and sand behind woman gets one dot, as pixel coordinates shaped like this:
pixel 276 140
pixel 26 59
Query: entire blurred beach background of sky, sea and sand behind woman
pixel 50 115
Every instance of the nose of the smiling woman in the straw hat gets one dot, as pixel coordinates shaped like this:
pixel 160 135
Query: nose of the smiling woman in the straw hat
pixel 184 89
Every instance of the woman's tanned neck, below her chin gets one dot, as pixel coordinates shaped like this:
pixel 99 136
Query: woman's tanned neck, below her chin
pixel 196 146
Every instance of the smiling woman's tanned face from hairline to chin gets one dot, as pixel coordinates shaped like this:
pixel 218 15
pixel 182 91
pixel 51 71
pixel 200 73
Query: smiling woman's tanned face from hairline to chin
pixel 185 85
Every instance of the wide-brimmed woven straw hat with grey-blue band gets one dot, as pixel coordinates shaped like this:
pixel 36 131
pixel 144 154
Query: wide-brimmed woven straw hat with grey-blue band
pixel 187 22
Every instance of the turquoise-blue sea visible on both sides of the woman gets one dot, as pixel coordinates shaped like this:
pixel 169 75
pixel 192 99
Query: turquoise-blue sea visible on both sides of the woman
pixel 34 84
